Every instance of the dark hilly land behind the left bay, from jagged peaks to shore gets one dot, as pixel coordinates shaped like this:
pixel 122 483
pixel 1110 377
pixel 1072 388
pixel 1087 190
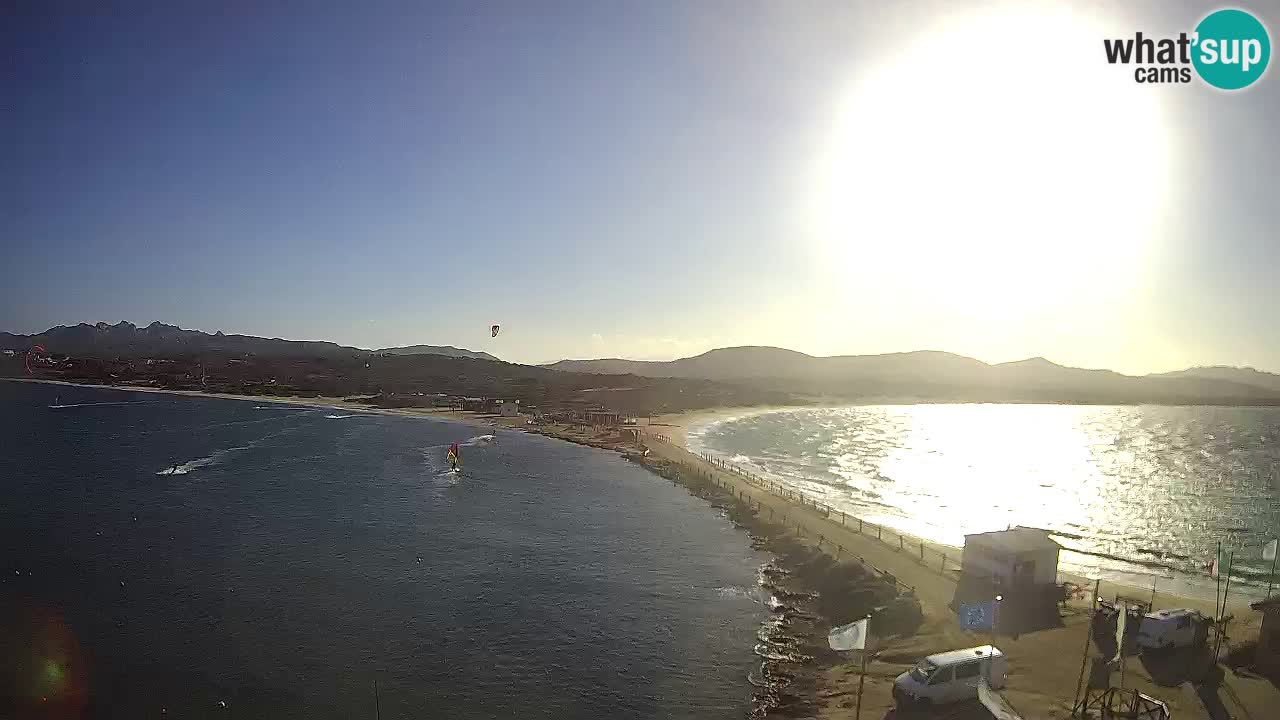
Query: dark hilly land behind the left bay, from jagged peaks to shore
pixel 167 357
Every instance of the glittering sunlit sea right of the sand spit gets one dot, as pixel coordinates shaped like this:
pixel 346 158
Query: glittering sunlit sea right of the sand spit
pixel 1140 495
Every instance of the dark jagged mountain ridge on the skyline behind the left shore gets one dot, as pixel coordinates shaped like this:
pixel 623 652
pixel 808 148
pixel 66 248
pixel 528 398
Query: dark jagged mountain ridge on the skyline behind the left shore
pixel 126 340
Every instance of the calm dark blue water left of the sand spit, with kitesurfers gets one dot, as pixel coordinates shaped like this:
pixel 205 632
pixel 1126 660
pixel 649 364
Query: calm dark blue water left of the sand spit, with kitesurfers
pixel 296 558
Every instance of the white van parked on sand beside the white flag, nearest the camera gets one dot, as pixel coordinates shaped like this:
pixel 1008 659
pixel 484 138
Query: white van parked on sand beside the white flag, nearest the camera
pixel 952 677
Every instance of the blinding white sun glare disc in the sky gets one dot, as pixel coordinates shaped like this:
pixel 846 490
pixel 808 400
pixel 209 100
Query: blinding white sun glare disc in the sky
pixel 995 166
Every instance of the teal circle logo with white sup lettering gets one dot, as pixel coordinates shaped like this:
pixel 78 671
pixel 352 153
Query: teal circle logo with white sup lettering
pixel 1232 49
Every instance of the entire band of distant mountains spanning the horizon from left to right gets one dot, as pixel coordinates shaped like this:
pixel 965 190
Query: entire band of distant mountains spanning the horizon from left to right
pixel 899 377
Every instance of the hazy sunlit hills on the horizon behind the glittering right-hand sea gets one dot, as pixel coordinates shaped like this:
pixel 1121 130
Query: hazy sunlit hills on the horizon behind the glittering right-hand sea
pixel 947 377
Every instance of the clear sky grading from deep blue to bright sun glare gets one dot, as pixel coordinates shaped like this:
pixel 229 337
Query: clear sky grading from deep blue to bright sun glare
pixel 641 180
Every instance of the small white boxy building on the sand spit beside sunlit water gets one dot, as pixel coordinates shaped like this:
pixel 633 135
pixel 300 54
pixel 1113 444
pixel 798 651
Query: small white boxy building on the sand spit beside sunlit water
pixel 1014 558
